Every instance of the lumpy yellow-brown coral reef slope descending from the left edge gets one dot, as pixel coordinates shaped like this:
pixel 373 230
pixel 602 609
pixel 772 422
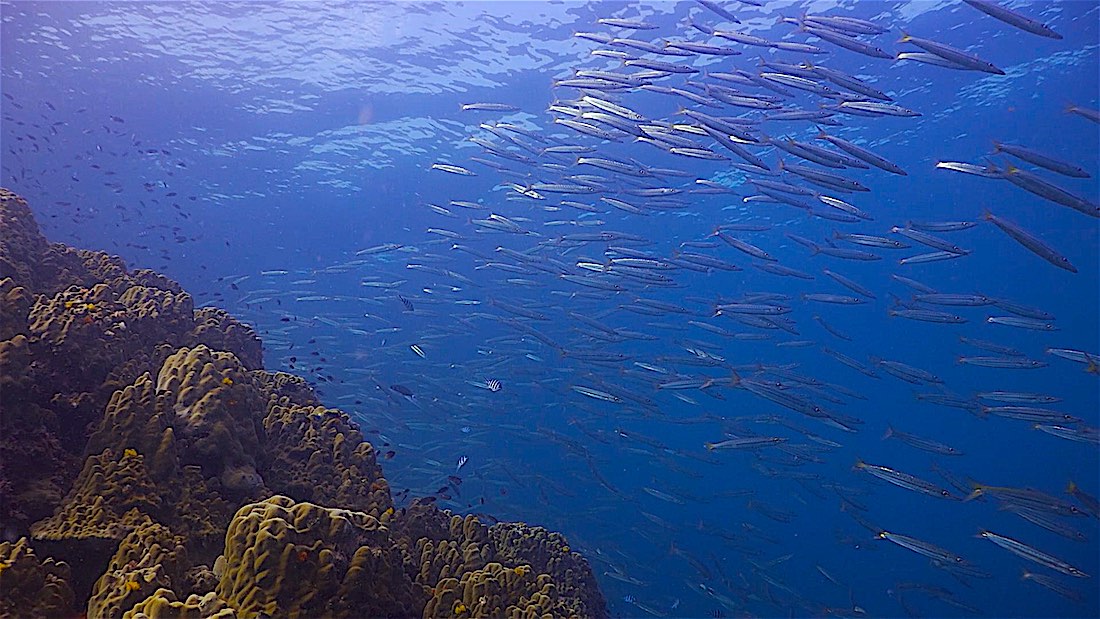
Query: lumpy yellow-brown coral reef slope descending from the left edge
pixel 167 474
